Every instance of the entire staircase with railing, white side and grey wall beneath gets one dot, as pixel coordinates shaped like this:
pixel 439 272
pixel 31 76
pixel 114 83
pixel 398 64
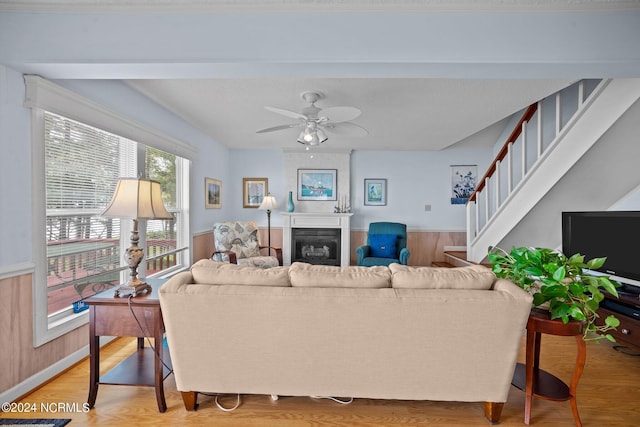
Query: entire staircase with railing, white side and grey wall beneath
pixel 576 150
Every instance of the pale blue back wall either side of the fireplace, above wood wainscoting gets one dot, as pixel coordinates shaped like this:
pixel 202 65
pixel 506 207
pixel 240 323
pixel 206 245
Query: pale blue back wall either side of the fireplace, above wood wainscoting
pixel 414 178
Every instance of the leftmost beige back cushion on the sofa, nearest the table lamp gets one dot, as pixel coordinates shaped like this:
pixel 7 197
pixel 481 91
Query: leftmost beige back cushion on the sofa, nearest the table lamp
pixel 211 272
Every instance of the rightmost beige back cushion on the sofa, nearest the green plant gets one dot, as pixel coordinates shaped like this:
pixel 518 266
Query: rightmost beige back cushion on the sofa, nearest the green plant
pixel 472 277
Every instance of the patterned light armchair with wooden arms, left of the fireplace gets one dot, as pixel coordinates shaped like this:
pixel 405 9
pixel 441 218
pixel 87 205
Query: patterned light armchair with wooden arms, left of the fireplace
pixel 237 242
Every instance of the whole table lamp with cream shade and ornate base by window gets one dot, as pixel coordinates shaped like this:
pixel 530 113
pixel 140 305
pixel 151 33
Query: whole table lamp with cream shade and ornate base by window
pixel 136 198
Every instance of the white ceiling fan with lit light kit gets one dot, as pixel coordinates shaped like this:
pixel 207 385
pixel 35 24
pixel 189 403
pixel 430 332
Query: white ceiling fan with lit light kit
pixel 314 121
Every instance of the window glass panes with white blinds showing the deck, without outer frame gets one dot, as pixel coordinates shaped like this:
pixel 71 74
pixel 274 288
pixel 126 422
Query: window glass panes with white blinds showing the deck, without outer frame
pixel 84 251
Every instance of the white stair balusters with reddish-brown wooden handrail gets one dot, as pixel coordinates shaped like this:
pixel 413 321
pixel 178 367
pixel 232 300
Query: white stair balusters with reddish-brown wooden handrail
pixel 538 131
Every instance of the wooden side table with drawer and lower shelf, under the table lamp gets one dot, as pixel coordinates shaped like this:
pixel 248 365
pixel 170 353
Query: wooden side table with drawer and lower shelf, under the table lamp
pixel 112 316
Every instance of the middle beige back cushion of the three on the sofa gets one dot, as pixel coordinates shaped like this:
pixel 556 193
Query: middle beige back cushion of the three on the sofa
pixel 326 276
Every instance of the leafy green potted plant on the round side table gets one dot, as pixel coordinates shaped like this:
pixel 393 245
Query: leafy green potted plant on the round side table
pixel 560 284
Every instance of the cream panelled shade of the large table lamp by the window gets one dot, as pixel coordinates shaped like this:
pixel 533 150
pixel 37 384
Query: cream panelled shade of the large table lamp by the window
pixel 137 198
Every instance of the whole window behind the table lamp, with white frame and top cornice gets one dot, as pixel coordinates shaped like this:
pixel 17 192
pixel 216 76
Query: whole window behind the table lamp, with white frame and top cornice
pixel 76 168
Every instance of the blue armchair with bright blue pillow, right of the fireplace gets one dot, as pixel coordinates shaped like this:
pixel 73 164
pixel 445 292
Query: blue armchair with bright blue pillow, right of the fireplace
pixel 386 244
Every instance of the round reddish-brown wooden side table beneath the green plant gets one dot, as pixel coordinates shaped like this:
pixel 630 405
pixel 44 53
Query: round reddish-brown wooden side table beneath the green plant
pixel 536 382
